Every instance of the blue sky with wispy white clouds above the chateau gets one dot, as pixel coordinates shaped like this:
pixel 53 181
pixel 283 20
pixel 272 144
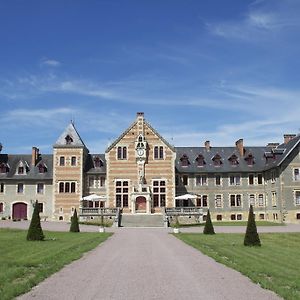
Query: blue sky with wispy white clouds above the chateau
pixel 200 70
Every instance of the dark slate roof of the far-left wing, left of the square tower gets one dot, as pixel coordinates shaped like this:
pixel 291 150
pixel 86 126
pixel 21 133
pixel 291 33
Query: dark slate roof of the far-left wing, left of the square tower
pixel 32 171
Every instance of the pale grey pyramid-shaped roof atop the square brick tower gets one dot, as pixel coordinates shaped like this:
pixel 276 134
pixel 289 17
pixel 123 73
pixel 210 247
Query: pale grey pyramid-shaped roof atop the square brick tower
pixel 70 138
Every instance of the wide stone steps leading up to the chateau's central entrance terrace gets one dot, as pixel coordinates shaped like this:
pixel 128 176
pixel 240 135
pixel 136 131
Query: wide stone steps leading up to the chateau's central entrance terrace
pixel 142 220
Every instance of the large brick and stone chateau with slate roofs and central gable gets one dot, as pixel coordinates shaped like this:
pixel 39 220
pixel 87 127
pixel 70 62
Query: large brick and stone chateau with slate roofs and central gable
pixel 140 172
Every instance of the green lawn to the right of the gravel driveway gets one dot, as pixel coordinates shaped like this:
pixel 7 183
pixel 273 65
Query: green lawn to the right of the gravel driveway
pixel 275 265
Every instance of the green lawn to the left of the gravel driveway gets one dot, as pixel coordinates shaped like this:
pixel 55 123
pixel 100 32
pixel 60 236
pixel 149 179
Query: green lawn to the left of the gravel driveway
pixel 23 264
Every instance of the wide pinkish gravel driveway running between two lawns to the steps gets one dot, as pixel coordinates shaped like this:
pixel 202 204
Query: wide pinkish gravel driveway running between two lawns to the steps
pixel 146 264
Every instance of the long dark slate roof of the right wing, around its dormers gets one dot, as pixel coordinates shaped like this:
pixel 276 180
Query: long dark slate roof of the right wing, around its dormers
pixel 261 163
